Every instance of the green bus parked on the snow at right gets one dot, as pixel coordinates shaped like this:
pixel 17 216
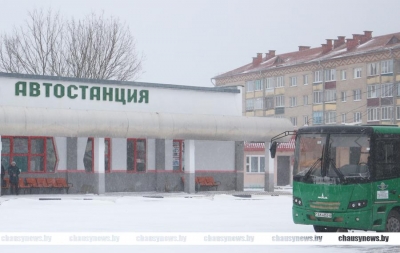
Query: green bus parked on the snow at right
pixel 347 178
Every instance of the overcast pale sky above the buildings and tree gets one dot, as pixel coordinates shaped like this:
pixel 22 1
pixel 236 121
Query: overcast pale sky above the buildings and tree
pixel 189 42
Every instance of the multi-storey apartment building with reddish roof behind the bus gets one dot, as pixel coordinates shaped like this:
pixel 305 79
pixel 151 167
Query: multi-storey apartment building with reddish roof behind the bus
pixel 345 81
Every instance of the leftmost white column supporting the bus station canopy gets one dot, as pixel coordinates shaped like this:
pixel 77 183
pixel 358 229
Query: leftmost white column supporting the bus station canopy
pixel 98 165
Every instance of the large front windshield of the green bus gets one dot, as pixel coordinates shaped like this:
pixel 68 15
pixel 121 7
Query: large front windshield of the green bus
pixel 331 158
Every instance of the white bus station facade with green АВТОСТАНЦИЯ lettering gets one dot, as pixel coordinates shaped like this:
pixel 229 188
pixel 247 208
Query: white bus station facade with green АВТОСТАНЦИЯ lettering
pixel 138 121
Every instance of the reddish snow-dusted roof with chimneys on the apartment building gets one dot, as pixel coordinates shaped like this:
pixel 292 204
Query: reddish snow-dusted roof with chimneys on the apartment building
pixel 333 49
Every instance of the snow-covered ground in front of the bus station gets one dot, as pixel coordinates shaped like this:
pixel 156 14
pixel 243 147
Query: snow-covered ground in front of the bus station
pixel 156 212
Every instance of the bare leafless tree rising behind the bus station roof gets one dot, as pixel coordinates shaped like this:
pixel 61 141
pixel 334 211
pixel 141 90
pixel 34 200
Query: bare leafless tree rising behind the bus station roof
pixel 94 47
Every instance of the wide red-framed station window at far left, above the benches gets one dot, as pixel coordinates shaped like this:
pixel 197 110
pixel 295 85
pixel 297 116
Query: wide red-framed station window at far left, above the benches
pixel 32 154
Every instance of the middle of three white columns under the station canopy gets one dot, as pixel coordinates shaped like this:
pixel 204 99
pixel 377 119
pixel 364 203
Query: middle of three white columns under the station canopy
pixel 189 167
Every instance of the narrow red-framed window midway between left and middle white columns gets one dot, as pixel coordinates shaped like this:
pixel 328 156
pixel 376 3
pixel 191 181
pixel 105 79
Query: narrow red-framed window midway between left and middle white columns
pixel 136 155
